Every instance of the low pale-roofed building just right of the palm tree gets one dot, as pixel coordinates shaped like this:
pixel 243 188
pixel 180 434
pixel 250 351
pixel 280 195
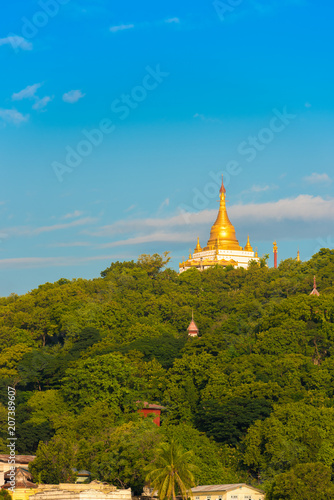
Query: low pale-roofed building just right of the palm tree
pixel 241 491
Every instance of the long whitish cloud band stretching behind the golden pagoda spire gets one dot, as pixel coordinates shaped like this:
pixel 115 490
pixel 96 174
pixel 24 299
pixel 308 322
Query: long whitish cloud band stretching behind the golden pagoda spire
pixel 305 211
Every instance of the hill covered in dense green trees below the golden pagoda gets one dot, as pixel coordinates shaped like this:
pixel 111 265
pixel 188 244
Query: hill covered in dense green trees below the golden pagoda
pixel 252 396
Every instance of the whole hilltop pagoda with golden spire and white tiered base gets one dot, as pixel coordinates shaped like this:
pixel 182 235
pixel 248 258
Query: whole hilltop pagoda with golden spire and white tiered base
pixel 223 248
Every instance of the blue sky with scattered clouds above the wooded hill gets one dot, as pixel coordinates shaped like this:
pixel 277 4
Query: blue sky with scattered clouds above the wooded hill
pixel 118 119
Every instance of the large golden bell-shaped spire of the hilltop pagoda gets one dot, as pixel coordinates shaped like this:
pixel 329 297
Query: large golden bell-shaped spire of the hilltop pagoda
pixel 223 232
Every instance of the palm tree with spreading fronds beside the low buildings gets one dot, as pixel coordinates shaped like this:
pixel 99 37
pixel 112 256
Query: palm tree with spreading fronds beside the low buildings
pixel 172 471
